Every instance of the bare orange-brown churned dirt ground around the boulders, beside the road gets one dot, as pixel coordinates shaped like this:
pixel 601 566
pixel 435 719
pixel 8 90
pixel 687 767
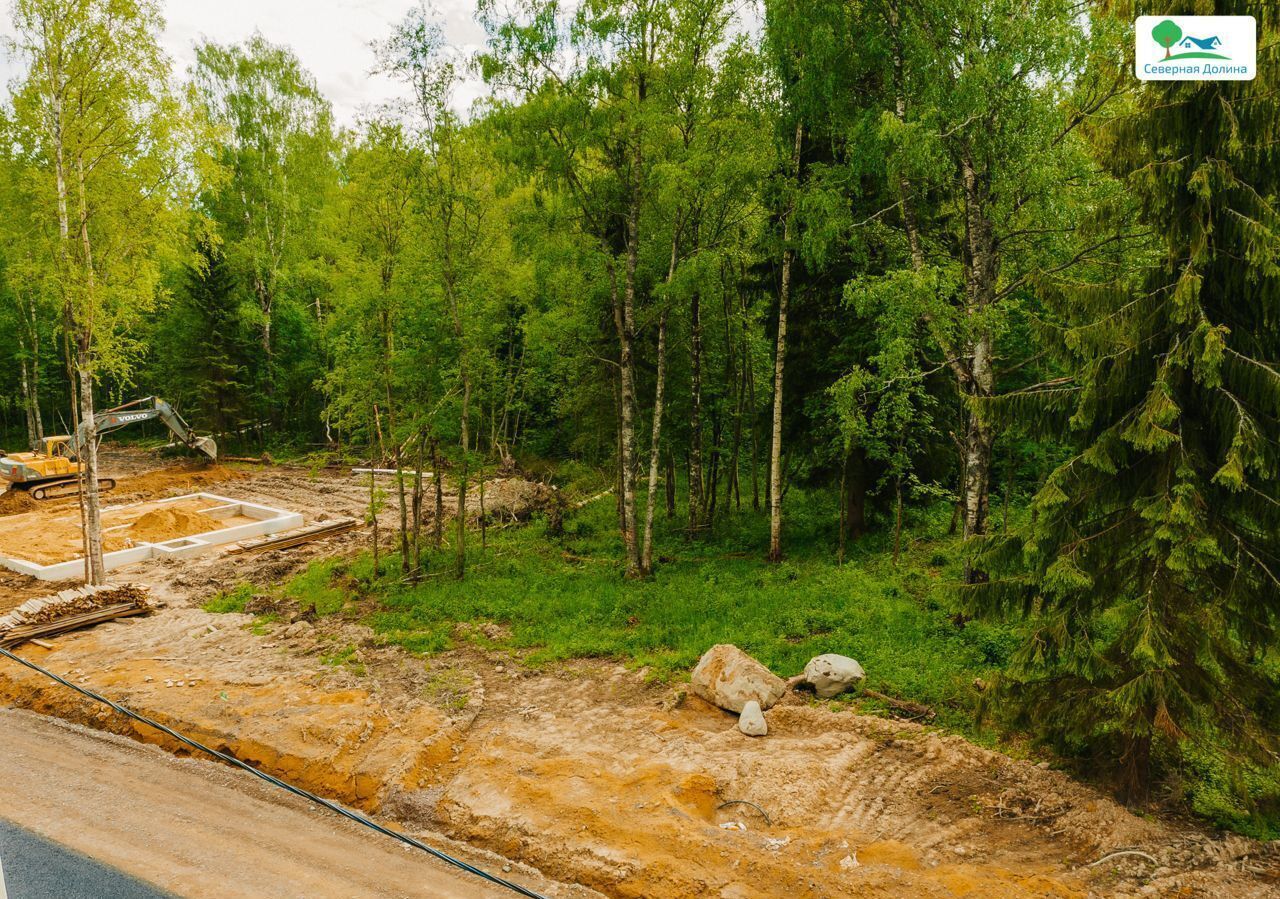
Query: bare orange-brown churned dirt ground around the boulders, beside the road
pixel 593 775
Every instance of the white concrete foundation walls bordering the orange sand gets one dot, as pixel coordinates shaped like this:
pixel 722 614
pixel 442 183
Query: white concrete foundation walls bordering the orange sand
pixel 267 521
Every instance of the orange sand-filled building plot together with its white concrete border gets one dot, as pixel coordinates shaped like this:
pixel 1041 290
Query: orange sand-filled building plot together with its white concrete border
pixel 49 546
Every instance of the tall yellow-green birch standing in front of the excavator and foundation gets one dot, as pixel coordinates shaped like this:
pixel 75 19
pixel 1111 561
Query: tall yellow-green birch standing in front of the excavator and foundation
pixel 97 109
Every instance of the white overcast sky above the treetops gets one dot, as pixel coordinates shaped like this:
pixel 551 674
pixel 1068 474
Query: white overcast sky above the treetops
pixel 331 38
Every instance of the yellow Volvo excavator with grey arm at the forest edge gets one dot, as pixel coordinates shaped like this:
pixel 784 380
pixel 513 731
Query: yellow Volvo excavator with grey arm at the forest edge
pixel 54 472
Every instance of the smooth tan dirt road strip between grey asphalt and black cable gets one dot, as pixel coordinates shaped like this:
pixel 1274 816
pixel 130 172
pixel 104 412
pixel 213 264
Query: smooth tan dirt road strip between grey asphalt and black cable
pixel 199 829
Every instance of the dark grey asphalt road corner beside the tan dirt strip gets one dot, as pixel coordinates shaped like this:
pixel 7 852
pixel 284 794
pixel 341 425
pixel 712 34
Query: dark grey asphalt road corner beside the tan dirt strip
pixel 33 868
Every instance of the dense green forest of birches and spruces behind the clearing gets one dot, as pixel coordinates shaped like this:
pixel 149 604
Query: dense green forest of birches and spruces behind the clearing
pixel 884 286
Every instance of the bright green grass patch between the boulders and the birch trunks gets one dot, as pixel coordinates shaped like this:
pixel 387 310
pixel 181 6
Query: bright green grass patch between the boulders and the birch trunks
pixel 566 599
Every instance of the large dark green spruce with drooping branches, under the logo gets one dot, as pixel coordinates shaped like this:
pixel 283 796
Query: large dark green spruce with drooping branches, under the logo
pixel 1150 573
